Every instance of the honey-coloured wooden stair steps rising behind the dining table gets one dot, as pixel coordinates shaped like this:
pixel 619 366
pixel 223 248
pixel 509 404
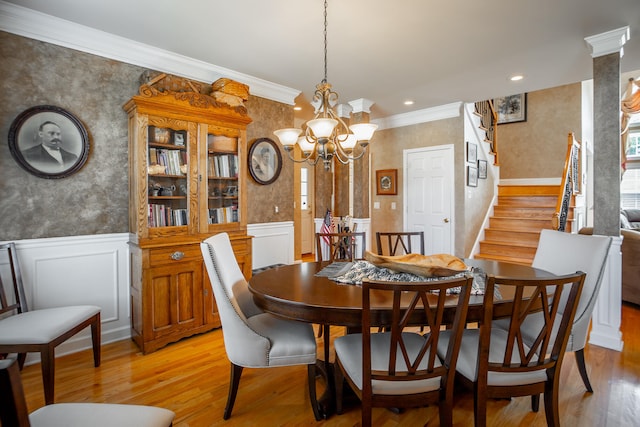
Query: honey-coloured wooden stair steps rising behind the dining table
pixel 514 229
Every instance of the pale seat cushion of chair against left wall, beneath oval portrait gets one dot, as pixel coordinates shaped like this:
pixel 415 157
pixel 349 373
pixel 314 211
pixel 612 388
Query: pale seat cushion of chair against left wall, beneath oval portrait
pixel 42 326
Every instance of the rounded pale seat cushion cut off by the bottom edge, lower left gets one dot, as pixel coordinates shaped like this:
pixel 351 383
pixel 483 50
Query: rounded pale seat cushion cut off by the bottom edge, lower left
pixel 100 415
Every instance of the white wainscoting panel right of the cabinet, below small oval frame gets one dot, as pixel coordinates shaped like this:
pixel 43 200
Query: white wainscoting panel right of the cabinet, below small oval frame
pixel 272 243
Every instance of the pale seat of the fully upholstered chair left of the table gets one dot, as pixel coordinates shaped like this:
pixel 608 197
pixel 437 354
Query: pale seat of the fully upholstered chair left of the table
pixel 292 343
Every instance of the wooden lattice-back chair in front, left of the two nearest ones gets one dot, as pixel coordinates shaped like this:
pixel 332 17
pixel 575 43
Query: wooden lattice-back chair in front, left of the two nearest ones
pixel 400 368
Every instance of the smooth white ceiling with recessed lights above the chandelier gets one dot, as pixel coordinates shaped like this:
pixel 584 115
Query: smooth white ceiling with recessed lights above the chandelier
pixel 433 53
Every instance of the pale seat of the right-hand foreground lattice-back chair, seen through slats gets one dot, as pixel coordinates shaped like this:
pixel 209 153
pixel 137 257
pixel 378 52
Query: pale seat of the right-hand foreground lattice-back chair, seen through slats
pixel 468 358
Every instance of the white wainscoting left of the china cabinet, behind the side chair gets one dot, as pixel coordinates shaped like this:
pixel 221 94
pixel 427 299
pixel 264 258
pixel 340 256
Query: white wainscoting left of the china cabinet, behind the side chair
pixel 78 270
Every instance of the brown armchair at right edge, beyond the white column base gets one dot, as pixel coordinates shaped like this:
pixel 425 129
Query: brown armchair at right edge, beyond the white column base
pixel 630 263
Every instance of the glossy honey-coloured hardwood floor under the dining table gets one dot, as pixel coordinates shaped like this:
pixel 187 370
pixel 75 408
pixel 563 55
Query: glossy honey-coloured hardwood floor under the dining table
pixel 191 378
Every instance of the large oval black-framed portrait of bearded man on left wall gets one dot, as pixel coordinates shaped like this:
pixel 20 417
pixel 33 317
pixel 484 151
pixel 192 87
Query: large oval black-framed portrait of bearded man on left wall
pixel 49 142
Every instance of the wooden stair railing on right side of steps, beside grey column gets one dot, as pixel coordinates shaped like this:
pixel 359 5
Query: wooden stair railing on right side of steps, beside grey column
pixel 570 185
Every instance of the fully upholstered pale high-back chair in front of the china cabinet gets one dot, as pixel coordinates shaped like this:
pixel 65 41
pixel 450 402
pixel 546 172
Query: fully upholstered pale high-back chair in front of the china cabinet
pixel 253 338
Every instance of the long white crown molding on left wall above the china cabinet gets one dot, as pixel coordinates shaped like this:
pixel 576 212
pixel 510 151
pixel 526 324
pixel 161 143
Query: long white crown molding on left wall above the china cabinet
pixel 39 26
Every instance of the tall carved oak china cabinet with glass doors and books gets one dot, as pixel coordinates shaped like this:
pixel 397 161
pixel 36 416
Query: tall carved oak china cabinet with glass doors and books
pixel 187 166
